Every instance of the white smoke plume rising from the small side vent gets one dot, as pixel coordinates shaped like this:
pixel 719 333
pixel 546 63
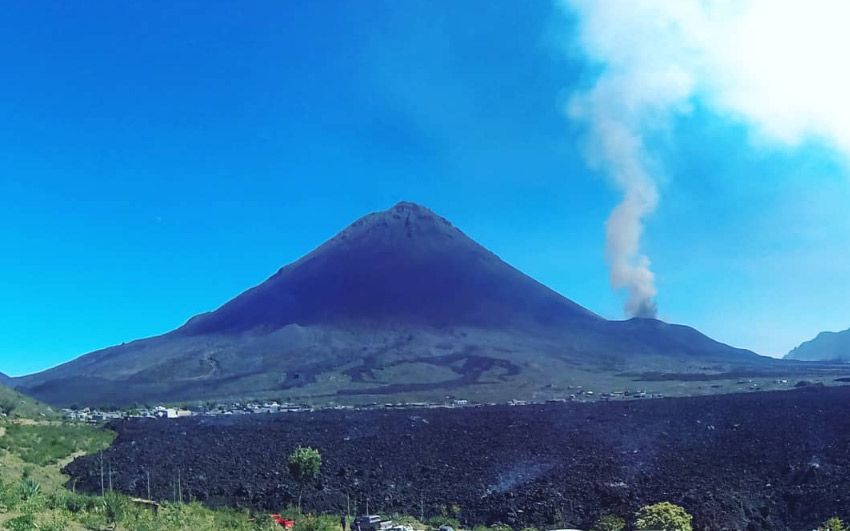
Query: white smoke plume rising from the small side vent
pixel 778 66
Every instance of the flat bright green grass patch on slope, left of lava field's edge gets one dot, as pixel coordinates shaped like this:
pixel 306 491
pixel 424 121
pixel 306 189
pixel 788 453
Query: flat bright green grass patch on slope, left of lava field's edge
pixel 47 444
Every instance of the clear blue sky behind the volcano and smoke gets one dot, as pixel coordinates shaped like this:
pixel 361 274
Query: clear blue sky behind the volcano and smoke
pixel 159 158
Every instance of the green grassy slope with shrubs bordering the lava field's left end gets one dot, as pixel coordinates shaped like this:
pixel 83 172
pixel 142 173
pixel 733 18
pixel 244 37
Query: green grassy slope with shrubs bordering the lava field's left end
pixel 33 493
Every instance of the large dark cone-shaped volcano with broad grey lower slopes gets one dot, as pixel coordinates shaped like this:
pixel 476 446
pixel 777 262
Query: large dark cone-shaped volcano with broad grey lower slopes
pixel 400 305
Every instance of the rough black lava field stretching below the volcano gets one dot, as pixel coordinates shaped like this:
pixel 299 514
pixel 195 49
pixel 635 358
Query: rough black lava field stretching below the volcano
pixel 778 460
